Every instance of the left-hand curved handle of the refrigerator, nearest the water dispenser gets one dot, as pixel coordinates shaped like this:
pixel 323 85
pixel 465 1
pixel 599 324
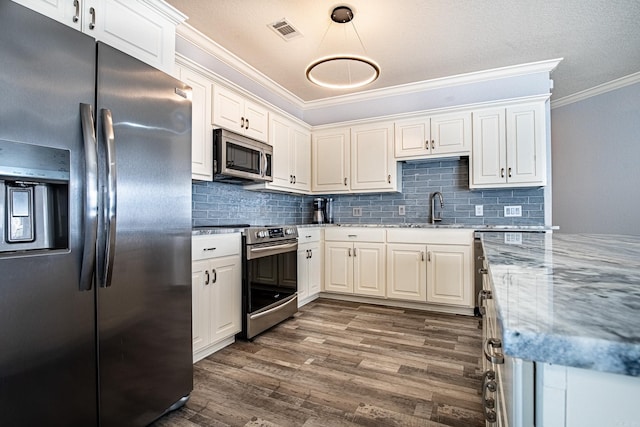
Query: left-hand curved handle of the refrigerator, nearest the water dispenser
pixel 91 197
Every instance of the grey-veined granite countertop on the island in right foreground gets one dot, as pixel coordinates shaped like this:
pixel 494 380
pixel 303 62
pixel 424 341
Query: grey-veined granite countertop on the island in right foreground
pixel 569 299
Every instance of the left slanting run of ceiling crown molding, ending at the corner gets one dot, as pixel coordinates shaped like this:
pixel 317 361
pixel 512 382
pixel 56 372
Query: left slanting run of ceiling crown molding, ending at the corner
pixel 198 39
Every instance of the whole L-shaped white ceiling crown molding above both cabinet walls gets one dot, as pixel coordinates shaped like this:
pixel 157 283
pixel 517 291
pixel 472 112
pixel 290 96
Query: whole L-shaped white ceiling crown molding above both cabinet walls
pixel 195 37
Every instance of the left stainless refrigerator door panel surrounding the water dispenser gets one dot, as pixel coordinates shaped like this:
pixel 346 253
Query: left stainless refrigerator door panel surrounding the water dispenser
pixel 47 335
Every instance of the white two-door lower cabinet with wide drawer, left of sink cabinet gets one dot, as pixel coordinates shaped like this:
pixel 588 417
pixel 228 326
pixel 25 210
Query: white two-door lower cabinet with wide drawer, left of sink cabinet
pixel 355 261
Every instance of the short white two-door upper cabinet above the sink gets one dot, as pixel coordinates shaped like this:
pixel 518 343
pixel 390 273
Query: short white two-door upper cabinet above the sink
pixel 435 136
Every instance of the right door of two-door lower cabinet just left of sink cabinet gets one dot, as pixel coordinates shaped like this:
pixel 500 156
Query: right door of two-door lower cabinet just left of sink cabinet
pixel 369 269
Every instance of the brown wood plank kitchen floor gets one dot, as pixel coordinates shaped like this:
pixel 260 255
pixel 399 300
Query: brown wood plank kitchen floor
pixel 343 364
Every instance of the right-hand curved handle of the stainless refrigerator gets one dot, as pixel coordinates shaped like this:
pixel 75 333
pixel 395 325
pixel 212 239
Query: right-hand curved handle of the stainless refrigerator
pixel 111 197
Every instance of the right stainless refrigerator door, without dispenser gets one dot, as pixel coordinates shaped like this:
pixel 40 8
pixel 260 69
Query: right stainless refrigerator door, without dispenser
pixel 144 305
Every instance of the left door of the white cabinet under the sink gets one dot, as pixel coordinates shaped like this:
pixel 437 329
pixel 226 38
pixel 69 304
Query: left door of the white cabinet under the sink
pixel 407 272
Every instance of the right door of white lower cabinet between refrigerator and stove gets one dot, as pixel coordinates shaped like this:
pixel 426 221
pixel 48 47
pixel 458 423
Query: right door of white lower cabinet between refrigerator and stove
pixel 226 297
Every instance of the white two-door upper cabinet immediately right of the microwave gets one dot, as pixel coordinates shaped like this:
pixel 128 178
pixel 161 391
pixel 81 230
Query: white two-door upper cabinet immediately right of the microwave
pixel 291 155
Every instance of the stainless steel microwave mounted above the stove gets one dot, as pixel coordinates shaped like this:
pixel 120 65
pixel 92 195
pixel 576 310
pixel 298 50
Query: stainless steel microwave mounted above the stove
pixel 238 159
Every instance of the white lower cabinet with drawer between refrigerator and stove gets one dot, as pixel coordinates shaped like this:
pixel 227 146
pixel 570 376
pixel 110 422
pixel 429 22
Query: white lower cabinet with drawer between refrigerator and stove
pixel 216 292
